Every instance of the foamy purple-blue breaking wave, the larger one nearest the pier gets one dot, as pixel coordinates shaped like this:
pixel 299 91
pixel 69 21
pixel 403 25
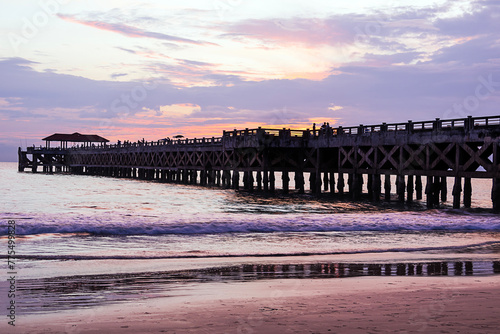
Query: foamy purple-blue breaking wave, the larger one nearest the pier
pixel 108 224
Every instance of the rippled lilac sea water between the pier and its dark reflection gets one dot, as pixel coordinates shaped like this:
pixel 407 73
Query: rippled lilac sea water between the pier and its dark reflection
pixel 69 225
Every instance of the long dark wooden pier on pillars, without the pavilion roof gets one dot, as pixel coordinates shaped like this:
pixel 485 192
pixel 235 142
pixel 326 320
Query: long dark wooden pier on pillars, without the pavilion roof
pixel 346 161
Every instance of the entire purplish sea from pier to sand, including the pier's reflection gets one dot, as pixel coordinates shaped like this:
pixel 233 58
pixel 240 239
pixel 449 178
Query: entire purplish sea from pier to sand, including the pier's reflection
pixel 85 241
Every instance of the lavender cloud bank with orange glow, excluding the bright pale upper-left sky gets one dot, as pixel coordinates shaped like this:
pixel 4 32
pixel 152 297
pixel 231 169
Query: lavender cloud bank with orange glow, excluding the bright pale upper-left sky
pixel 412 65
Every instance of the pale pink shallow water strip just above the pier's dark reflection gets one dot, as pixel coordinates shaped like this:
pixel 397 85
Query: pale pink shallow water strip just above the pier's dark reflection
pixel 48 269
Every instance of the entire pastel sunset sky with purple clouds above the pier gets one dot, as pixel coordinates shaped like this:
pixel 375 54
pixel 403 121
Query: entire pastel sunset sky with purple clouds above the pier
pixel 128 70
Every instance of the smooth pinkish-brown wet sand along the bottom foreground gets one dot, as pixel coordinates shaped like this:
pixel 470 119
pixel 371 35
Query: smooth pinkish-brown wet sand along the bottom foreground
pixel 346 305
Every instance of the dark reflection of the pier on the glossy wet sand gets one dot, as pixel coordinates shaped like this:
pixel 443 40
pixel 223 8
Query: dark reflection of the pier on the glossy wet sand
pixel 60 293
